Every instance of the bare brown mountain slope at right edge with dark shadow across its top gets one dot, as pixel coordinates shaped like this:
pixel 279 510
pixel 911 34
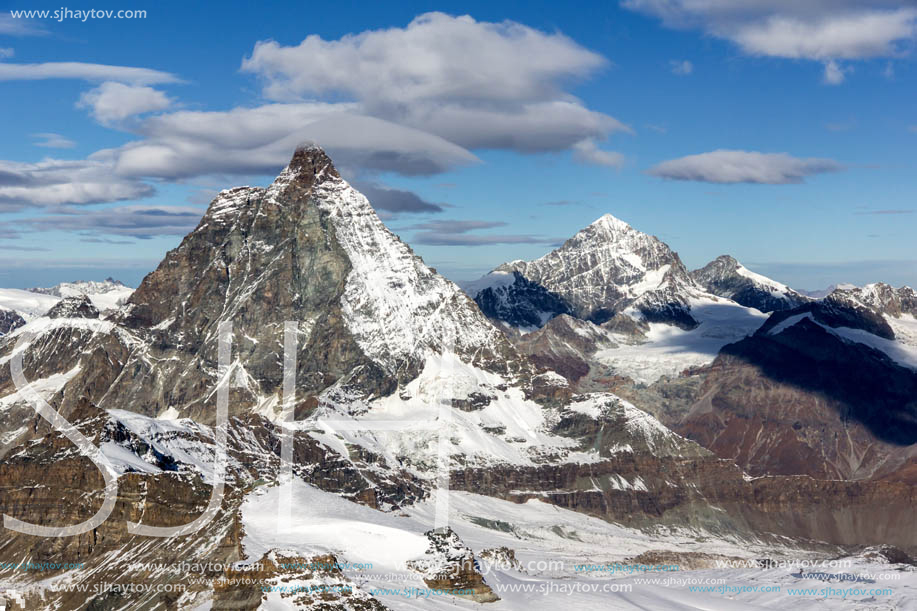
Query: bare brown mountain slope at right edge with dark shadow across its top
pixel 804 401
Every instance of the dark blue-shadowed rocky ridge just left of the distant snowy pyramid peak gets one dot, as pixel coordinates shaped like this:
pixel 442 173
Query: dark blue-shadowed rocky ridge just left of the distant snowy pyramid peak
pixel 521 304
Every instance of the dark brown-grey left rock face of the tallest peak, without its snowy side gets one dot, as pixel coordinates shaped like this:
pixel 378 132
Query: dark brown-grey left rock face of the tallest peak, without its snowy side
pixel 258 261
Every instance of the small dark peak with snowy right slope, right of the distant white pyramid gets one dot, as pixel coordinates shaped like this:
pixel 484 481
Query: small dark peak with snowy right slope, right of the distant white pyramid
pixel 726 277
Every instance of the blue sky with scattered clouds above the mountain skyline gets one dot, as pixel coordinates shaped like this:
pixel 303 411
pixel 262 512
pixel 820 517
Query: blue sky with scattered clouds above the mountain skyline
pixel 780 132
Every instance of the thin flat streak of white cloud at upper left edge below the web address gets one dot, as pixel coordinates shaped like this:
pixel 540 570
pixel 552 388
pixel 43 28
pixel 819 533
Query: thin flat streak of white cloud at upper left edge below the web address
pixel 84 71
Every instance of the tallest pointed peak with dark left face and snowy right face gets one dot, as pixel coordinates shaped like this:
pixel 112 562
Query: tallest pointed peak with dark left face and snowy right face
pixel 309 248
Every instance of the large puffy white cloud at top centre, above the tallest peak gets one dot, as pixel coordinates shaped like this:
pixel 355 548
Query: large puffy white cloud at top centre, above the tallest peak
pixel 435 57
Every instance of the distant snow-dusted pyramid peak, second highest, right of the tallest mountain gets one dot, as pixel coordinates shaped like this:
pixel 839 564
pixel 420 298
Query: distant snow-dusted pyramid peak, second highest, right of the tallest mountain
pixel 605 269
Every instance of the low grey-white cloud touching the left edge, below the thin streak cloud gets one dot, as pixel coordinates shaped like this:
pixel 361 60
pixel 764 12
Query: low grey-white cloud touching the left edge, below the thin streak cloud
pixel 54 182
